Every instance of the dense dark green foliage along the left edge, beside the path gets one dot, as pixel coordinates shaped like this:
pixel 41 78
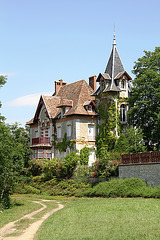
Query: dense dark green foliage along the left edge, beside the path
pixel 14 155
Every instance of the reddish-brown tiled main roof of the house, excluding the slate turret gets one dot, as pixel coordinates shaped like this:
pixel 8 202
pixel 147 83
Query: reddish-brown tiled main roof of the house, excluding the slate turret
pixel 73 95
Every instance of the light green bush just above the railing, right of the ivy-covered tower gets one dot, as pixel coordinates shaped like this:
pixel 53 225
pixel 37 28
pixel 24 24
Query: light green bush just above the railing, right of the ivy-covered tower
pixel 130 142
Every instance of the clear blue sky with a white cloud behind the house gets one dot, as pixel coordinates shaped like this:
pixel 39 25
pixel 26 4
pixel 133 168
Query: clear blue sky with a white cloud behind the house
pixel 43 41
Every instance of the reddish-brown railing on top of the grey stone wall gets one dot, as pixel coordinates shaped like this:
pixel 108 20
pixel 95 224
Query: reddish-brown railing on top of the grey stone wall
pixel 145 157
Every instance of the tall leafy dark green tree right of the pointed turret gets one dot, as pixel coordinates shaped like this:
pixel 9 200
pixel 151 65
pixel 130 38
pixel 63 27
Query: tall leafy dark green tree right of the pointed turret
pixel 144 102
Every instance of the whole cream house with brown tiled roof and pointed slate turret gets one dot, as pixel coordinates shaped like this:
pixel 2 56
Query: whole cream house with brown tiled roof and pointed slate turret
pixel 68 119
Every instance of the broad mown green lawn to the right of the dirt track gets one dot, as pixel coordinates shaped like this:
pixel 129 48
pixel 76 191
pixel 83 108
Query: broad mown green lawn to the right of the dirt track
pixel 109 219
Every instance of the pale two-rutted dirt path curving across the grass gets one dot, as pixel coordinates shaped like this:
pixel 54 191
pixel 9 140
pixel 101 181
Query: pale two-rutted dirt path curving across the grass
pixel 28 233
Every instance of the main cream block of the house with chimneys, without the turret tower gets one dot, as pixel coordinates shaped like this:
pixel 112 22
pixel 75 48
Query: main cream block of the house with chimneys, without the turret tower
pixel 69 116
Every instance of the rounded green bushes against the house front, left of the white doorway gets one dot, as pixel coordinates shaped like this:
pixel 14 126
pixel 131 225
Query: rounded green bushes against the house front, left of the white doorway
pixel 61 168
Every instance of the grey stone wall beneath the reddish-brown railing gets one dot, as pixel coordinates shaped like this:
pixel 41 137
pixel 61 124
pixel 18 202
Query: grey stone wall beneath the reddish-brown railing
pixel 149 172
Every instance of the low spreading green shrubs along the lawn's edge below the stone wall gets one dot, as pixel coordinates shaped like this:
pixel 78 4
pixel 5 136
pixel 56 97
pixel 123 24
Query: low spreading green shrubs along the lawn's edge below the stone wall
pixel 132 187
